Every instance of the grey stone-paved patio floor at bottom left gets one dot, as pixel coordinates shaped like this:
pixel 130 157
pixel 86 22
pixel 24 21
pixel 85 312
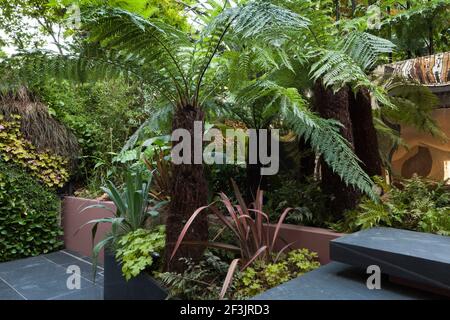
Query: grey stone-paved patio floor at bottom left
pixel 45 277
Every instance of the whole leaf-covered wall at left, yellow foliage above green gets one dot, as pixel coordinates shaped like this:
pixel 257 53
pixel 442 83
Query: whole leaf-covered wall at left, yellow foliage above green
pixel 29 206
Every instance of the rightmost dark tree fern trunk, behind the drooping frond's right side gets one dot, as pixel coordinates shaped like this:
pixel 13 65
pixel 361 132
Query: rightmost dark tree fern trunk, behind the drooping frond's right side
pixel 364 133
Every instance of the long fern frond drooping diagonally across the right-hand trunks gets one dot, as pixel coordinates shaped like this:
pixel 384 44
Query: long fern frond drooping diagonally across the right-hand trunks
pixel 322 134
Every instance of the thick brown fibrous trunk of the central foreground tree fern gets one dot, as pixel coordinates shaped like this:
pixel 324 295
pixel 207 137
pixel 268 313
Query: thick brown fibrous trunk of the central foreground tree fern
pixel 189 191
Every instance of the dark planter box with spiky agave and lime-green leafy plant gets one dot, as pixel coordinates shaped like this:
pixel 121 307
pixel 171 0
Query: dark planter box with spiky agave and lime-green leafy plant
pixel 135 243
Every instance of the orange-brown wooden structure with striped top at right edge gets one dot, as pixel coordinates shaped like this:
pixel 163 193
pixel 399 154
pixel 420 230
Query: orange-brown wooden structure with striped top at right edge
pixel 426 155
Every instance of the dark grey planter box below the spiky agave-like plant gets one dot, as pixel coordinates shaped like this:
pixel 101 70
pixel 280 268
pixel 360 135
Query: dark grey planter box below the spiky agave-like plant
pixel 116 287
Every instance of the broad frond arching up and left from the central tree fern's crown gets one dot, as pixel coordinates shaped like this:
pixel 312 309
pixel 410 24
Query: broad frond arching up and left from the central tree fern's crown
pixel 156 43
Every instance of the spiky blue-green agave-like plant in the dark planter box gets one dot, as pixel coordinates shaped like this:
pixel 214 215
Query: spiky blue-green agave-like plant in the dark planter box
pixel 135 209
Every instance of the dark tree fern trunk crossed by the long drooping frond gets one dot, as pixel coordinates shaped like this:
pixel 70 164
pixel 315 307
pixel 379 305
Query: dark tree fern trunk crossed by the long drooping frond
pixel 335 106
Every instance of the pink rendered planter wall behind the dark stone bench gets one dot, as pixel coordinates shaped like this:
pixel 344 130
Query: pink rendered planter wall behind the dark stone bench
pixel 312 238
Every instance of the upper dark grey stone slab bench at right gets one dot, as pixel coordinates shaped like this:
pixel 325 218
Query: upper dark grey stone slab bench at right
pixel 421 258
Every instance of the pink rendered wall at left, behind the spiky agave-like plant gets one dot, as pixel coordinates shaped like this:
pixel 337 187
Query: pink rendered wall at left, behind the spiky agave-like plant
pixel 72 220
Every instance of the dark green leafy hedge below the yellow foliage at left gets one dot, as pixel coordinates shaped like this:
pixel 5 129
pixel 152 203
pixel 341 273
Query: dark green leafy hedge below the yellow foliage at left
pixel 29 214
